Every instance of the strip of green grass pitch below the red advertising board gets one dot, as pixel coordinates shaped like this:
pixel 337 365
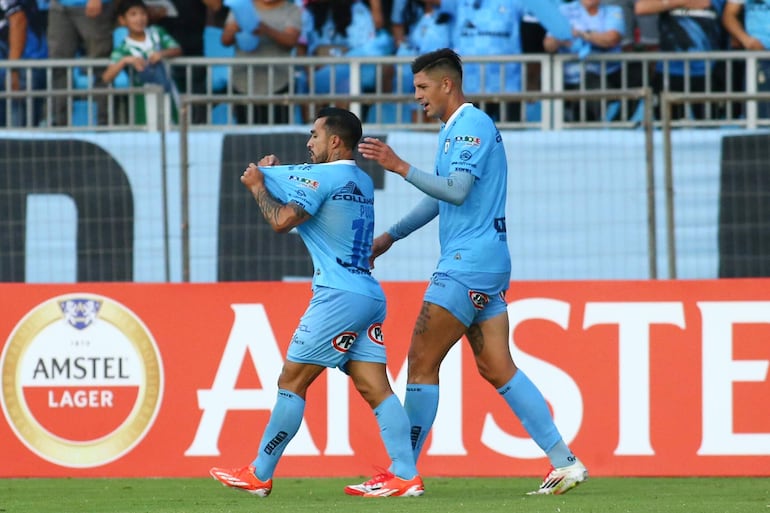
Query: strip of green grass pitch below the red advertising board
pixel 443 495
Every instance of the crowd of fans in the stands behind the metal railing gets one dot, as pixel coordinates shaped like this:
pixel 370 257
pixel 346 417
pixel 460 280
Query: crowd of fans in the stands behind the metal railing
pixel 65 29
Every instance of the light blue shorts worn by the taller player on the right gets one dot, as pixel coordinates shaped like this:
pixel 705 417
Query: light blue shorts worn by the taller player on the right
pixel 470 304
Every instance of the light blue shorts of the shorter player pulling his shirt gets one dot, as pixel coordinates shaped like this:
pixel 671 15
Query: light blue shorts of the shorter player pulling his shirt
pixel 339 326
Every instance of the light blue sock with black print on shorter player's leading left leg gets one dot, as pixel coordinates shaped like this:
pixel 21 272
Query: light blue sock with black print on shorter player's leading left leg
pixel 283 425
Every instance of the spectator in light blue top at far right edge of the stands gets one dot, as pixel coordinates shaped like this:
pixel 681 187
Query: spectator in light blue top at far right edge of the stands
pixel 749 25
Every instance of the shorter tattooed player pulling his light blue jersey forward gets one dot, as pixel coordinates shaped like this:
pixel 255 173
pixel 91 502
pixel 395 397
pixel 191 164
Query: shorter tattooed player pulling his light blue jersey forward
pixel 331 204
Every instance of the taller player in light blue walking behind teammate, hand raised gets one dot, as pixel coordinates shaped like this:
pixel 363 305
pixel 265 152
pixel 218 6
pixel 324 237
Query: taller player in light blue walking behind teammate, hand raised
pixel 466 295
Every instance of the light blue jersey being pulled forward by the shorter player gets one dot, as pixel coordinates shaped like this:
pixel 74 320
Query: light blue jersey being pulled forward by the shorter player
pixel 340 198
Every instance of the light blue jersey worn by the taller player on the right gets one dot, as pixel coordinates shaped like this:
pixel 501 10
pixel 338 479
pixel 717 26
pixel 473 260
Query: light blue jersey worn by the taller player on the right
pixel 470 142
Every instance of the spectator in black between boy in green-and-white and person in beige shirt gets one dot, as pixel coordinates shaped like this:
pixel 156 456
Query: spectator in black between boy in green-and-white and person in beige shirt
pixel 186 25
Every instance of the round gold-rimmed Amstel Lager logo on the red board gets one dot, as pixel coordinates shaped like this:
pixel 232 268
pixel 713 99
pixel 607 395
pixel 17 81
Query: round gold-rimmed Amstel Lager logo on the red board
pixel 82 380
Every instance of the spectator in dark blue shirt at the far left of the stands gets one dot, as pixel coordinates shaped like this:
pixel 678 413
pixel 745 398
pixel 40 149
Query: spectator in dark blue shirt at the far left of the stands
pixel 21 37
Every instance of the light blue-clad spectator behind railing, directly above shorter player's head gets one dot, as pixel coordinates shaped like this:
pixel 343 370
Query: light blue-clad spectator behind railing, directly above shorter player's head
pixel 342 28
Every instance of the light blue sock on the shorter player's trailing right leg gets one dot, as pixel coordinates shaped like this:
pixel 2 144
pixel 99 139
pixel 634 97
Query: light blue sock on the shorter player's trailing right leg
pixel 394 430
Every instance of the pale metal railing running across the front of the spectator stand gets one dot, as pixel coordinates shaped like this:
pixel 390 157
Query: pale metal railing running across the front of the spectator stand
pixel 382 105
